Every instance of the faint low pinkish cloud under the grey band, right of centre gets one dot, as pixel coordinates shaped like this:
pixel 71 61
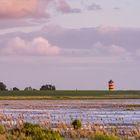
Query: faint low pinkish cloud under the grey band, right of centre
pixel 98 50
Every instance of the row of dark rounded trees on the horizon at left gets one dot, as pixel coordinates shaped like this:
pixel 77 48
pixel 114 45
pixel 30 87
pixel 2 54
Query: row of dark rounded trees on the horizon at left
pixel 3 87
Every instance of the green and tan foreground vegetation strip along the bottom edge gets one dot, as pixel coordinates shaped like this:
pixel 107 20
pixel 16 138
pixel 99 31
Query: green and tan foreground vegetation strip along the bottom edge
pixel 28 131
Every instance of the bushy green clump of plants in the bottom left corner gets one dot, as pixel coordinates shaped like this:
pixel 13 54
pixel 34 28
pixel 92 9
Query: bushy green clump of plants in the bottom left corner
pixel 29 132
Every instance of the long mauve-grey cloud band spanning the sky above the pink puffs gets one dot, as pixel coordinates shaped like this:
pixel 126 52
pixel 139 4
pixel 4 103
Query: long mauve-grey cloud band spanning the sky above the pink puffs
pixel 85 37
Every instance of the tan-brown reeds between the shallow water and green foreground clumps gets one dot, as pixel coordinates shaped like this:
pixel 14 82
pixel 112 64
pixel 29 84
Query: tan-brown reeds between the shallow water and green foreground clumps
pixel 66 130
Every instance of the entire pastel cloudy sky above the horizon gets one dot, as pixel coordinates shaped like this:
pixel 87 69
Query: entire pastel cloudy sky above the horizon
pixel 73 44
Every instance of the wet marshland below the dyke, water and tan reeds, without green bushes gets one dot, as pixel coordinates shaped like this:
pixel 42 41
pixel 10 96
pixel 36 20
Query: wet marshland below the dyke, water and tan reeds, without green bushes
pixel 116 118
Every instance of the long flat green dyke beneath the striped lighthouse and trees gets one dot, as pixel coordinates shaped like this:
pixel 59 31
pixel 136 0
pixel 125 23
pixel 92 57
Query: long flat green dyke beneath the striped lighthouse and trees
pixel 70 94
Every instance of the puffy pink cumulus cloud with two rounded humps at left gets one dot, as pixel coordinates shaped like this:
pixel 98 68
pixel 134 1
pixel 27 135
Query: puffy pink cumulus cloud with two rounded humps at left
pixel 38 46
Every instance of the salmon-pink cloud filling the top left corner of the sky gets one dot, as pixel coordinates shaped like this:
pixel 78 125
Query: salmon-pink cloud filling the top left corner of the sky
pixel 22 8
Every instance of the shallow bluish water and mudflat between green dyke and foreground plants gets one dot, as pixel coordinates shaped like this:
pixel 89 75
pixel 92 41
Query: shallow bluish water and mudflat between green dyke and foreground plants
pixel 105 112
